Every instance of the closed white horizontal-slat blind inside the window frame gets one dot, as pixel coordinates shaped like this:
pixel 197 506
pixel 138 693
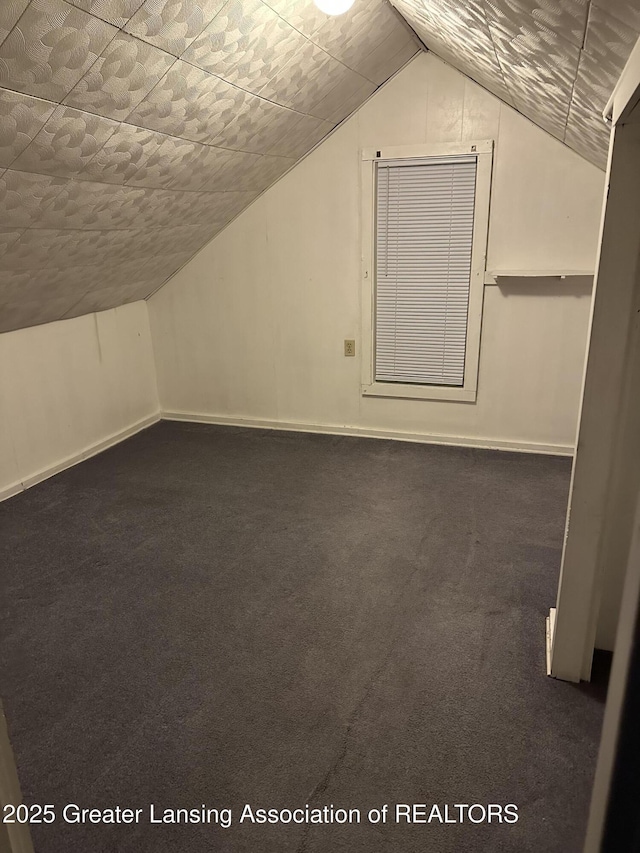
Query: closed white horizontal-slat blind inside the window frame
pixel 424 235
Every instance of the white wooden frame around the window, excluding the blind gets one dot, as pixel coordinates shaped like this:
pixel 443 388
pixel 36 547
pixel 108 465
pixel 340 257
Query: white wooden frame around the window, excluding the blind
pixel 370 156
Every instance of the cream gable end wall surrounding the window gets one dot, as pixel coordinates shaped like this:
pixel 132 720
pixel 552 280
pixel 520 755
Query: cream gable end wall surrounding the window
pixel 253 327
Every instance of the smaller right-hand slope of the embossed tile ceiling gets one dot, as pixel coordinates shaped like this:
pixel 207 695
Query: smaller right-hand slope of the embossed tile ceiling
pixel 556 61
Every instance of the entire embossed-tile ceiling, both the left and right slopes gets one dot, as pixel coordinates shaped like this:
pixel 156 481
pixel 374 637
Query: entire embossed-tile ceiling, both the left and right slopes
pixel 196 149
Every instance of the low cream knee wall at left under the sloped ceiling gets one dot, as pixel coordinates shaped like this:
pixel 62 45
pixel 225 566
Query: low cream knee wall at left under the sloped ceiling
pixel 69 387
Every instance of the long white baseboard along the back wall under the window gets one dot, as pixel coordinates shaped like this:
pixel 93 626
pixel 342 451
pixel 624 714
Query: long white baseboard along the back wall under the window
pixel 332 429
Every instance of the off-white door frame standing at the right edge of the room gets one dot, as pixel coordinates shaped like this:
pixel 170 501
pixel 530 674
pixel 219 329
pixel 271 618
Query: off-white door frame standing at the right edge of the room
pixel 605 395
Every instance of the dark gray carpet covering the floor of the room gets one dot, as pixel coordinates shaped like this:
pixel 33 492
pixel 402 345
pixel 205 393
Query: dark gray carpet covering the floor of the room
pixel 225 616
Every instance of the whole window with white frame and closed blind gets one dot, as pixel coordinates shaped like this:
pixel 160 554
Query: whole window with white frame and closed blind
pixel 424 264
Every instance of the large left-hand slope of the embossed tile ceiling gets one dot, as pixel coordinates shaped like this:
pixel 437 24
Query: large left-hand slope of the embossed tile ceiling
pixel 132 131
